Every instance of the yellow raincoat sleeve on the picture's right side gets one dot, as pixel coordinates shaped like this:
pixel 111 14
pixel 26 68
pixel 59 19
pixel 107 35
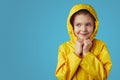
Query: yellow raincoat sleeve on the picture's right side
pixel 99 67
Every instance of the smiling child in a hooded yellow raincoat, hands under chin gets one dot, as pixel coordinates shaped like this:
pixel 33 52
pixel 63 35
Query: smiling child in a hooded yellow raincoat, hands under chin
pixel 83 57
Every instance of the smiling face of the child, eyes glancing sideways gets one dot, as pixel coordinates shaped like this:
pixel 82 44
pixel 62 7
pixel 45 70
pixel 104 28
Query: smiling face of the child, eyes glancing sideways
pixel 83 26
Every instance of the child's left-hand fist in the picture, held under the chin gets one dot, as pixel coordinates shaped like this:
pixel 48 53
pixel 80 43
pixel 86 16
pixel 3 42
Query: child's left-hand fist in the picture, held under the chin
pixel 78 47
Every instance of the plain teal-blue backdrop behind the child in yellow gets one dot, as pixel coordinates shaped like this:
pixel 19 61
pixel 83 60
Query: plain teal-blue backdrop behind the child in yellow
pixel 32 30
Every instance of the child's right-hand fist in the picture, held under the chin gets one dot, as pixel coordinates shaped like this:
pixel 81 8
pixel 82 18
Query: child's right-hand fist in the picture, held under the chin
pixel 86 47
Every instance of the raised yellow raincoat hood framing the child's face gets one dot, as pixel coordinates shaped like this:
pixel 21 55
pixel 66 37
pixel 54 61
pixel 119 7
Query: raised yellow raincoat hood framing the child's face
pixel 76 8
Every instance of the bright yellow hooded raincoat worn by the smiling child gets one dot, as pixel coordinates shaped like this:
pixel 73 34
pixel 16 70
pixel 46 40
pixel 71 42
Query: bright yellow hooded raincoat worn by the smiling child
pixel 95 65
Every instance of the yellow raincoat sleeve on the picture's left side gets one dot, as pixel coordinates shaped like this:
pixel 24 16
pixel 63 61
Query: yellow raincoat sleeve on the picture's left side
pixel 67 64
